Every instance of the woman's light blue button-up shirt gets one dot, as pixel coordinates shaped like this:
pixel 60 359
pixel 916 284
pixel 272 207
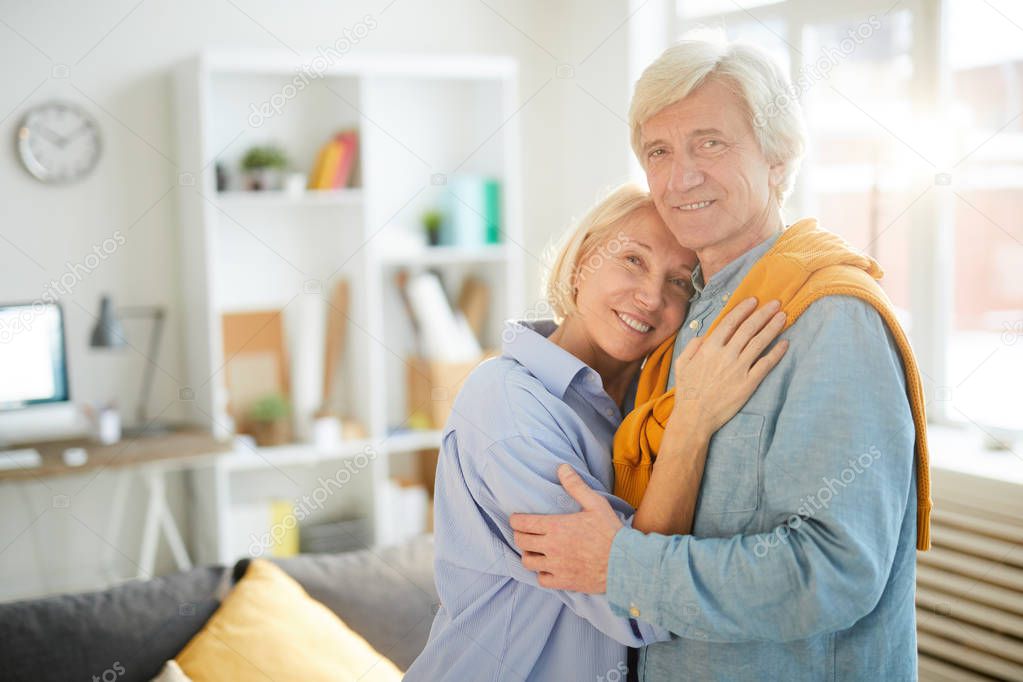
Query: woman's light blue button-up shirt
pixel 516 420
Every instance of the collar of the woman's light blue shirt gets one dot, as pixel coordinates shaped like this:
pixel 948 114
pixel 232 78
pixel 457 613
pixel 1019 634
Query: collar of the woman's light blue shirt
pixel 527 343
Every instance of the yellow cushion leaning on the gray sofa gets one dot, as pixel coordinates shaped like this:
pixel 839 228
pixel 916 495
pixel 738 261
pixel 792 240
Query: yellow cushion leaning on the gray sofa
pixel 270 629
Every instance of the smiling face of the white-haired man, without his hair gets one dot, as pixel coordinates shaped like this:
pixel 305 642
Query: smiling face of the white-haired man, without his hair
pixel 707 175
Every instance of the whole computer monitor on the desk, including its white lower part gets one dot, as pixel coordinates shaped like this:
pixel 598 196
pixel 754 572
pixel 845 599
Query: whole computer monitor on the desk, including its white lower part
pixel 35 399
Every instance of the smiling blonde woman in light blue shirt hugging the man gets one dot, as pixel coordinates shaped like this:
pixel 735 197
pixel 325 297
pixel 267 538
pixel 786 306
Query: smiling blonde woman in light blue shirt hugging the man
pixel 620 287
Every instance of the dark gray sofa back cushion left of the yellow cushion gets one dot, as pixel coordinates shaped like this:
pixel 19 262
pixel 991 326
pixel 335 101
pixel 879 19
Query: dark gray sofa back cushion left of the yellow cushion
pixel 135 628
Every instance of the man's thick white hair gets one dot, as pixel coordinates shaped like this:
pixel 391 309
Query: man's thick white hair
pixel 771 102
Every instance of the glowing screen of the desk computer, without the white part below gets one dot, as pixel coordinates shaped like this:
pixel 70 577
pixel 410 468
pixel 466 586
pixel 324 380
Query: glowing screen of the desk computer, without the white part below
pixel 33 360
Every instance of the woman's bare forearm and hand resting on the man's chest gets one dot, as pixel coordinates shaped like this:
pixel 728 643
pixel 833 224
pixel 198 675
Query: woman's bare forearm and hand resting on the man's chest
pixel 715 378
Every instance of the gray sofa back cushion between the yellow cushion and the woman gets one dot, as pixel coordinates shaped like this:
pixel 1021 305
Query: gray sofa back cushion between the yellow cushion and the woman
pixel 386 596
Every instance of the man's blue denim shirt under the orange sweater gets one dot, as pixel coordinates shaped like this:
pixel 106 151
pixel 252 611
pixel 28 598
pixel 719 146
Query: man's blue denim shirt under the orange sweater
pixel 803 561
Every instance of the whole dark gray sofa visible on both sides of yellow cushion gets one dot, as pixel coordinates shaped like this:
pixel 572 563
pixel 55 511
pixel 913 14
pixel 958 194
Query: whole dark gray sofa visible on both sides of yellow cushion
pixel 127 632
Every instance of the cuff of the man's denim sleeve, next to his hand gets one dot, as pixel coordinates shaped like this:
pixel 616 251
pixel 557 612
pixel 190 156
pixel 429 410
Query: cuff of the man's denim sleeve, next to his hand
pixel 635 575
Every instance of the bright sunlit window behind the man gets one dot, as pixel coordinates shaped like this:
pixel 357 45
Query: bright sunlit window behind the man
pixel 915 113
